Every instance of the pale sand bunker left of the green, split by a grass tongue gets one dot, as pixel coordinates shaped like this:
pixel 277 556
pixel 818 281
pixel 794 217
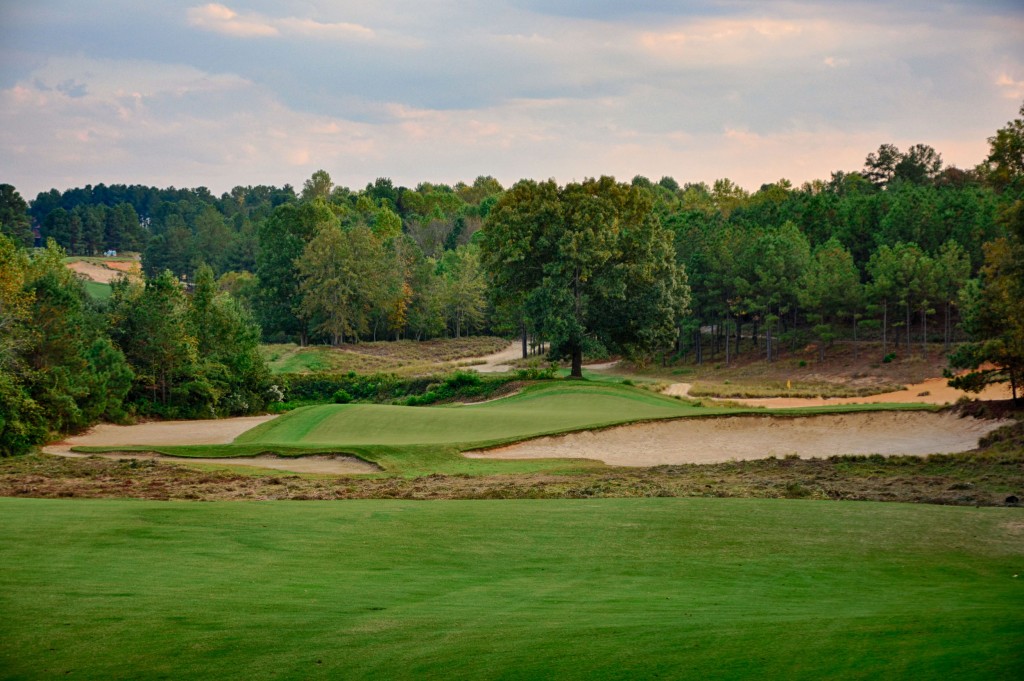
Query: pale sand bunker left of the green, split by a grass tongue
pixel 220 432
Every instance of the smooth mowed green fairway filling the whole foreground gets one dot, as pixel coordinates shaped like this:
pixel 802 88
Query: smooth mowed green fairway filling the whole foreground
pixel 609 589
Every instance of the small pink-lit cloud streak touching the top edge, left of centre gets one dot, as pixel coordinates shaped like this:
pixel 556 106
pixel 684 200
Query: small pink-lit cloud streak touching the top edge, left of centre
pixel 222 19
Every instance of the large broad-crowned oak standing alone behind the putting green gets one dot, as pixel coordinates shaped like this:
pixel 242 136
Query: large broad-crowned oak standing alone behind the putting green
pixel 589 264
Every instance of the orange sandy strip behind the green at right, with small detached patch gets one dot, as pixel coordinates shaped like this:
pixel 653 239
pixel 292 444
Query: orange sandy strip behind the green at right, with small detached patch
pixel 932 392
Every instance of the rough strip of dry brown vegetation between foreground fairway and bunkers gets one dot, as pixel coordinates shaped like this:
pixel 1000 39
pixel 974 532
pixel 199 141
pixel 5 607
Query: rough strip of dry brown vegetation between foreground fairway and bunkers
pixel 989 477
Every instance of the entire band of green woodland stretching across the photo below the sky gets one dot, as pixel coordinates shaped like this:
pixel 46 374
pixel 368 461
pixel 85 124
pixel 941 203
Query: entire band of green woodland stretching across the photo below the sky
pixel 902 251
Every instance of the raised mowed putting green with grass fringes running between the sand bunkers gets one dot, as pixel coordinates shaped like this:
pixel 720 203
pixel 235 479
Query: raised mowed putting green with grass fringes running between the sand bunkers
pixel 420 441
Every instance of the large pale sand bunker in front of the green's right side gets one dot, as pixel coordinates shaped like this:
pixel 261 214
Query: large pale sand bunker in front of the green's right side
pixel 707 441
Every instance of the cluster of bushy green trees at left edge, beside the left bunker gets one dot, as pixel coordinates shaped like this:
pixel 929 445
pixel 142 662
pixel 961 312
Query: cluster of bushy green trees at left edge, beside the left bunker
pixel 68 361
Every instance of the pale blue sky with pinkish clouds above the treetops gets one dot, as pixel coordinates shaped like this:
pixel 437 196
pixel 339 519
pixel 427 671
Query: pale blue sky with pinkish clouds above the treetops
pixel 188 94
